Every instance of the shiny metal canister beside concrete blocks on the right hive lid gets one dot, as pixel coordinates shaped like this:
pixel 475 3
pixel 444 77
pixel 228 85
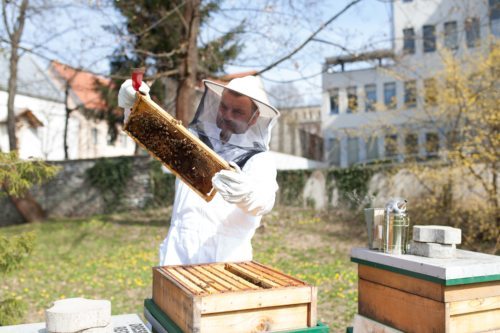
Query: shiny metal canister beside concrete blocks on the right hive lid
pixel 396 227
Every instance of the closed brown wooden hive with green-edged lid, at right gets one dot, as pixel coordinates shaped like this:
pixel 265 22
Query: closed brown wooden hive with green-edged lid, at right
pixel 419 294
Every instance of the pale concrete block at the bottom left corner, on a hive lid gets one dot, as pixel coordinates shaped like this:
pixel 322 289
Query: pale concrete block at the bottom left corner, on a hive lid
pixel 78 314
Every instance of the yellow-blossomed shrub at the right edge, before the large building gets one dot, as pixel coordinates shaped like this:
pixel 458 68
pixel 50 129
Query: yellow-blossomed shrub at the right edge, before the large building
pixel 469 103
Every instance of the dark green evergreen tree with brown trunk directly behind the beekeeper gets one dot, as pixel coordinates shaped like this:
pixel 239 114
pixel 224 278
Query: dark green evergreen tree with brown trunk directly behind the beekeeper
pixel 164 36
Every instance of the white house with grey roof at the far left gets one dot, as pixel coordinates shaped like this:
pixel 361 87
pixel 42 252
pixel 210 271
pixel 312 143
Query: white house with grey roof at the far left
pixel 40 112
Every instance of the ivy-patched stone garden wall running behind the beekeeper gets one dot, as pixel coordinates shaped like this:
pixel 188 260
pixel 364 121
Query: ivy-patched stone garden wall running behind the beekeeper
pixel 96 186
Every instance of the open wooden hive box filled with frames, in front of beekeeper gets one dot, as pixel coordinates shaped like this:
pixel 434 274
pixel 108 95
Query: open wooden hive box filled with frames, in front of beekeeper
pixel 233 297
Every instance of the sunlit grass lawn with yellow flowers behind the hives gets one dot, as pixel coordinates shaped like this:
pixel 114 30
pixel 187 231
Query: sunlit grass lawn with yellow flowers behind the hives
pixel 110 257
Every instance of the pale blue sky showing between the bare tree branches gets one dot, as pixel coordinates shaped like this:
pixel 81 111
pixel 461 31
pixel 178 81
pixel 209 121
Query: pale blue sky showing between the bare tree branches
pixel 272 32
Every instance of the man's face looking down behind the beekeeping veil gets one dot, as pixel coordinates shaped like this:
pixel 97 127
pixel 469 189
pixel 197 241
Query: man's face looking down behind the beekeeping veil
pixel 236 114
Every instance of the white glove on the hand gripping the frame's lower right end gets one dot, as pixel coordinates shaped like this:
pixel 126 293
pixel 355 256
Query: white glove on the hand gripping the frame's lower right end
pixel 238 188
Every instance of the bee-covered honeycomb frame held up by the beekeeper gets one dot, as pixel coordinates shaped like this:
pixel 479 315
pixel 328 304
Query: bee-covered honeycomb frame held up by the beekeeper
pixel 166 139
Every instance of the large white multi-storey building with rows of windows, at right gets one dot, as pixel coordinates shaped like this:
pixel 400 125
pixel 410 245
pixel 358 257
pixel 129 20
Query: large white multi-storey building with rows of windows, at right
pixel 378 109
